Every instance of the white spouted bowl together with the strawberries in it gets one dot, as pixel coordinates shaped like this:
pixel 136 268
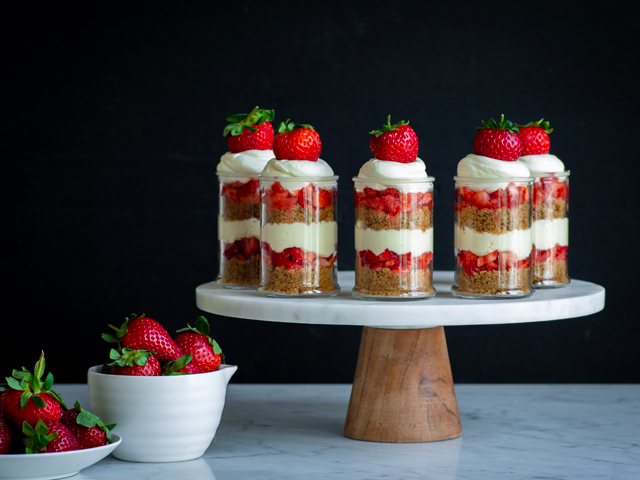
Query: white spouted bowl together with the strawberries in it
pixel 168 395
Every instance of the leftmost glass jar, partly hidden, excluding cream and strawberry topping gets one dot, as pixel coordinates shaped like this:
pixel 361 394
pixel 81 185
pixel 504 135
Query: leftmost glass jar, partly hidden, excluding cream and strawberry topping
pixel 238 230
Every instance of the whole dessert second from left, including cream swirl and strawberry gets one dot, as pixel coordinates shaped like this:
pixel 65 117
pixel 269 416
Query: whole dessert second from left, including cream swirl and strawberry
pixel 299 225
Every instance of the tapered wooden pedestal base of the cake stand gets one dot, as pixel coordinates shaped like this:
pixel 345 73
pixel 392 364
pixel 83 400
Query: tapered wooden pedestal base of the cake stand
pixel 403 388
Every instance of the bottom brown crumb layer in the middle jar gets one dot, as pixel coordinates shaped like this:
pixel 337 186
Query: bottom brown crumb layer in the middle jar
pixel 385 283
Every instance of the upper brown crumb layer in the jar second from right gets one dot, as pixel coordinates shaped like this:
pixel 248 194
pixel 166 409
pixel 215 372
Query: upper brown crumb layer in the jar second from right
pixel 495 221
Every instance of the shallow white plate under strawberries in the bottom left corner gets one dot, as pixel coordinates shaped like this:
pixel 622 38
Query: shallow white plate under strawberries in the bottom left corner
pixel 47 466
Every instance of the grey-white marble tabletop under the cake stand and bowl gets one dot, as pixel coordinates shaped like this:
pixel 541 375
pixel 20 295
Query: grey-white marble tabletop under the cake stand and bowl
pixel 509 432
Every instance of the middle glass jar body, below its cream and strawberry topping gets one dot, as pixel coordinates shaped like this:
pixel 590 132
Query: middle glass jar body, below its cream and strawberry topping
pixel 394 238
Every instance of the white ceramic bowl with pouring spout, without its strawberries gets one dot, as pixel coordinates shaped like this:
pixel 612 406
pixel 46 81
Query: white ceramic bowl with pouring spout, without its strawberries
pixel 161 419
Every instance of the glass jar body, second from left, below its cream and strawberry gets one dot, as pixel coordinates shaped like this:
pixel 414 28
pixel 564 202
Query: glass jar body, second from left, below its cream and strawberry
pixel 299 236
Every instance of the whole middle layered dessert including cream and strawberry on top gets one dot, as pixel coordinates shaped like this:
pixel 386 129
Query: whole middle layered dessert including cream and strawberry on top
pixel 394 219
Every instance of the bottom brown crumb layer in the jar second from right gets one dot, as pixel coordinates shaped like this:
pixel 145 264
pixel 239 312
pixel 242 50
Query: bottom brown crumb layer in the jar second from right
pixel 498 282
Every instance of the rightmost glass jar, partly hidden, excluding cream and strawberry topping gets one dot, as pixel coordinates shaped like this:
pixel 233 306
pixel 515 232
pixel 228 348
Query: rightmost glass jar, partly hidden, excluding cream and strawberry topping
pixel 550 230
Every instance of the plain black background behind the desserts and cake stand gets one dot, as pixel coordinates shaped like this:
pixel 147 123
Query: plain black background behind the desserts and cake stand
pixel 112 115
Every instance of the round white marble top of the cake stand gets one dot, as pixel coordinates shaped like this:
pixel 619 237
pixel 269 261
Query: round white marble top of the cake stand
pixel 575 300
